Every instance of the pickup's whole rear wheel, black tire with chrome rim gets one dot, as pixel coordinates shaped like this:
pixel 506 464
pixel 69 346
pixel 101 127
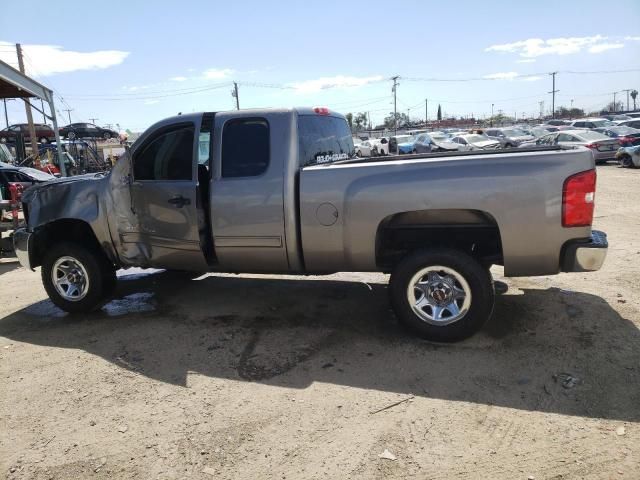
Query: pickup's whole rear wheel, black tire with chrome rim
pixel 459 275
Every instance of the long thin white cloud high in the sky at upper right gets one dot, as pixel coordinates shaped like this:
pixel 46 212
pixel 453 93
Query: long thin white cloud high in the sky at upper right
pixel 535 47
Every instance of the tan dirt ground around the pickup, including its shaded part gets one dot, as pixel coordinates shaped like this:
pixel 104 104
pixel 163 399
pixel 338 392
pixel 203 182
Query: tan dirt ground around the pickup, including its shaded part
pixel 238 377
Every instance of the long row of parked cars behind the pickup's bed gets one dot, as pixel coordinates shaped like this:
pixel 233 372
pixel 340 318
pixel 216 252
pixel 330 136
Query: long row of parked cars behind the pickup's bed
pixel 605 137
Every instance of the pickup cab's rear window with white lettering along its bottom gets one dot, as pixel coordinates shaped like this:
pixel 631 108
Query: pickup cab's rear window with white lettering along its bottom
pixel 324 139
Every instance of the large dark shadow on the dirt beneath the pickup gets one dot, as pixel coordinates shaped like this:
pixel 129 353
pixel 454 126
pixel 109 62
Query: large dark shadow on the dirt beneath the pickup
pixel 544 350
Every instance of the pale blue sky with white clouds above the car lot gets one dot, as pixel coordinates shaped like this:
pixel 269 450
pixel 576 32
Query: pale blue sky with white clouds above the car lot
pixel 139 62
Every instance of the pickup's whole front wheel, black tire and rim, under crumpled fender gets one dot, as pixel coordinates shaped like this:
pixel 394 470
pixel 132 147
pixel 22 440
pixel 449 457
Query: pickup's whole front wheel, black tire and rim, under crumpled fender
pixel 81 262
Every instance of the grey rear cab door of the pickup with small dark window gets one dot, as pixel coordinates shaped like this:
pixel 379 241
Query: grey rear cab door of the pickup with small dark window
pixel 247 190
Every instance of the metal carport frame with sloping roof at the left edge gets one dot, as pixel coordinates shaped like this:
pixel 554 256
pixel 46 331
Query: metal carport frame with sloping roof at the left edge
pixel 14 84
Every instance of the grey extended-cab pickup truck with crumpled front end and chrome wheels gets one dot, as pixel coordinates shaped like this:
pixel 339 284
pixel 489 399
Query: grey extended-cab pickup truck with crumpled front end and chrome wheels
pixel 281 191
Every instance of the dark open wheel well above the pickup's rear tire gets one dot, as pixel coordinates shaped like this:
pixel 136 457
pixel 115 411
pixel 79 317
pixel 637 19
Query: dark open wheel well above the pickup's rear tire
pixel 475 232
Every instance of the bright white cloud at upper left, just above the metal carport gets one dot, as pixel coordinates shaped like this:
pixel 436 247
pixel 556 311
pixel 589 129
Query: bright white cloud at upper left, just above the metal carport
pixel 45 60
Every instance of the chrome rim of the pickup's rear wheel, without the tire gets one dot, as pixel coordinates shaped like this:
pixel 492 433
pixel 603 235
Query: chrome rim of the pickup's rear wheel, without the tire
pixel 439 295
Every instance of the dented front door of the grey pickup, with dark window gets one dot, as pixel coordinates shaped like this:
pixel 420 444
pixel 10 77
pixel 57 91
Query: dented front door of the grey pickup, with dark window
pixel 164 199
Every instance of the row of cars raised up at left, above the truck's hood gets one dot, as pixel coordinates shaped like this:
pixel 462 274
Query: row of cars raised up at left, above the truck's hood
pixel 45 133
